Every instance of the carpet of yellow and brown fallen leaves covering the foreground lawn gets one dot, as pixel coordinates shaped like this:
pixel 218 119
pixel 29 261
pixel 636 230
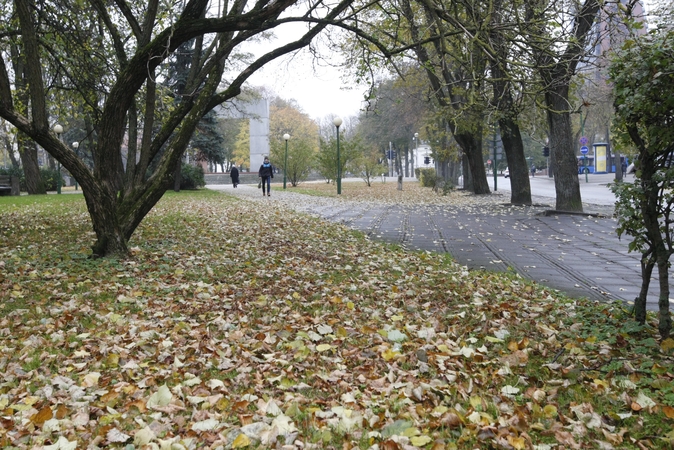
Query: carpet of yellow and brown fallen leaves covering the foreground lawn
pixel 245 325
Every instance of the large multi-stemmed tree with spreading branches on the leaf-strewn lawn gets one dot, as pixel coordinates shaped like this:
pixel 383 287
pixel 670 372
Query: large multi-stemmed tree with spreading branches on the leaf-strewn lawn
pixel 117 55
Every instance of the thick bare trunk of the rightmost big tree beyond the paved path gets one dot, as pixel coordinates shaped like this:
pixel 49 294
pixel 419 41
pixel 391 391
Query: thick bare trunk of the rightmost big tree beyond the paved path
pixel 562 153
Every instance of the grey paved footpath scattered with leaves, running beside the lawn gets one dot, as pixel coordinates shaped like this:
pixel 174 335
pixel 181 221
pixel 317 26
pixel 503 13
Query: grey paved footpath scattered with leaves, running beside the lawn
pixel 580 255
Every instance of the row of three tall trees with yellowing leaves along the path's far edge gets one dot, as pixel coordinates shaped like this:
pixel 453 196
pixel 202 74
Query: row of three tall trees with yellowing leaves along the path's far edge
pixel 511 65
